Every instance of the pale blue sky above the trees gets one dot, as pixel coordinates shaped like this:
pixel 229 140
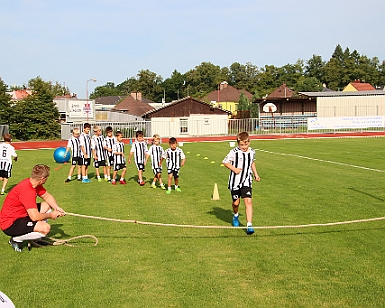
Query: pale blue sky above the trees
pixel 73 41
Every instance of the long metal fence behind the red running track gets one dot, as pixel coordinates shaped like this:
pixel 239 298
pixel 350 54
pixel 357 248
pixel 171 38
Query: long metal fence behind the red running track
pixel 254 126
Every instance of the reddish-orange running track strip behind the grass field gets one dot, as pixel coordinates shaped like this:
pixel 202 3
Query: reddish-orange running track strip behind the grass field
pixel 53 144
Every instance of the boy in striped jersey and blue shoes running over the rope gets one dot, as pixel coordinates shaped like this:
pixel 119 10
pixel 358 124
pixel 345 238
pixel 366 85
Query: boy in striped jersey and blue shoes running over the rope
pixel 241 162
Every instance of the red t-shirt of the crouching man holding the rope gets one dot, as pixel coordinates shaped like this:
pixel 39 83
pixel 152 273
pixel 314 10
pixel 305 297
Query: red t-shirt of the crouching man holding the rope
pixel 21 198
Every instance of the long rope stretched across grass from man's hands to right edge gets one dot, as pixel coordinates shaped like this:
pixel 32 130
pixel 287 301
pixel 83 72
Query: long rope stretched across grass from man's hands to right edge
pixel 227 227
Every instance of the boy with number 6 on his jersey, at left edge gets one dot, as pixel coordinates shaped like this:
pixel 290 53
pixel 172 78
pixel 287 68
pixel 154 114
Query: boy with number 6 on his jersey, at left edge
pixel 6 154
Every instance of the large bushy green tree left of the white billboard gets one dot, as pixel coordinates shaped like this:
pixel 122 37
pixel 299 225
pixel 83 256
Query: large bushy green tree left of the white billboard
pixel 36 116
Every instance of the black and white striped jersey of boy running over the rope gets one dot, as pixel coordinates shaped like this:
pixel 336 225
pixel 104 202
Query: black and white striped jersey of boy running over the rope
pixel 242 160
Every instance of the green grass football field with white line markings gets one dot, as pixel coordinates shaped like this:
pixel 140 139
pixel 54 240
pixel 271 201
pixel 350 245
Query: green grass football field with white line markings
pixel 302 182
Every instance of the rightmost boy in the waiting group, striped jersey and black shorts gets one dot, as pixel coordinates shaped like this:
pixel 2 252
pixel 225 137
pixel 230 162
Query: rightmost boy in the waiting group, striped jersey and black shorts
pixel 175 159
